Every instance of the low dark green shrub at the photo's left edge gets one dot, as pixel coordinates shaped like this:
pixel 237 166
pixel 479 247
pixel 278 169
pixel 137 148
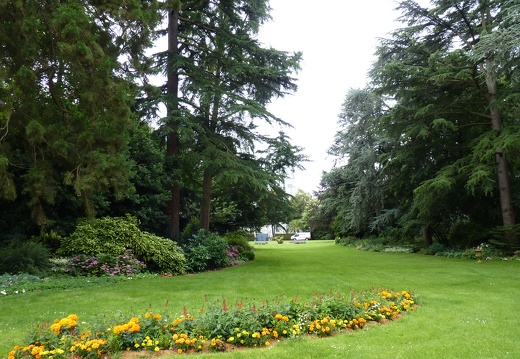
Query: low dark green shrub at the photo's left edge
pixel 25 257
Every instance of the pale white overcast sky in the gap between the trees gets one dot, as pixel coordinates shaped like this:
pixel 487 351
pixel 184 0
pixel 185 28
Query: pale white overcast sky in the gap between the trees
pixel 338 40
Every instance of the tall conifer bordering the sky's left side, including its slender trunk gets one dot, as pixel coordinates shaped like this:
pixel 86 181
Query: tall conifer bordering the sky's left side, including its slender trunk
pixel 226 79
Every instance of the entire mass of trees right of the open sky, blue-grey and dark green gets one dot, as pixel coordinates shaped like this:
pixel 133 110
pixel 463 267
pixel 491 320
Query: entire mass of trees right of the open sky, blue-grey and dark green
pixel 441 157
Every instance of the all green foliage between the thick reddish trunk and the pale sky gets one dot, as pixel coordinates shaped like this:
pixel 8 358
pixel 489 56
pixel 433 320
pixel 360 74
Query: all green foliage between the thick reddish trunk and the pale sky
pixel 228 83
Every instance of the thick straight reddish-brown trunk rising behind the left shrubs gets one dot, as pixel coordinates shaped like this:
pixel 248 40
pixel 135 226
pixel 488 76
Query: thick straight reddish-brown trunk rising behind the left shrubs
pixel 172 107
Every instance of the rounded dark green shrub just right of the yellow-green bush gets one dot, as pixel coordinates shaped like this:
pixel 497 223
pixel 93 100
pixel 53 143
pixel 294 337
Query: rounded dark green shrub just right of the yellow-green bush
pixel 206 251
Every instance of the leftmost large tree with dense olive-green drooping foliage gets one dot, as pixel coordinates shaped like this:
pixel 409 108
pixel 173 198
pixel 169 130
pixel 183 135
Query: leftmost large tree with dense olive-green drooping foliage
pixel 67 82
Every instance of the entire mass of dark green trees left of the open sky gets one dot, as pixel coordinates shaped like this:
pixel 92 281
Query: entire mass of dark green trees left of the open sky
pixel 76 97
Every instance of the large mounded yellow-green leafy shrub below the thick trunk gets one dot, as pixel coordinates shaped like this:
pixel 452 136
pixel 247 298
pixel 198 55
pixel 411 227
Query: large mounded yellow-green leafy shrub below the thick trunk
pixel 113 236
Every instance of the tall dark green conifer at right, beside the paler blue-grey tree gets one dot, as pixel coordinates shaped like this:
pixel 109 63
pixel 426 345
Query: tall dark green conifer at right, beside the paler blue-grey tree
pixel 444 99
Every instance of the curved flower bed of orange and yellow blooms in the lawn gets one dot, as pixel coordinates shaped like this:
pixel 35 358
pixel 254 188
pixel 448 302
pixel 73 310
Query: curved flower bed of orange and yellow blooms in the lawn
pixel 216 327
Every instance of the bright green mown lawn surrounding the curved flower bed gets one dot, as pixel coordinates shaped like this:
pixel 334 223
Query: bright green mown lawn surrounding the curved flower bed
pixel 468 309
